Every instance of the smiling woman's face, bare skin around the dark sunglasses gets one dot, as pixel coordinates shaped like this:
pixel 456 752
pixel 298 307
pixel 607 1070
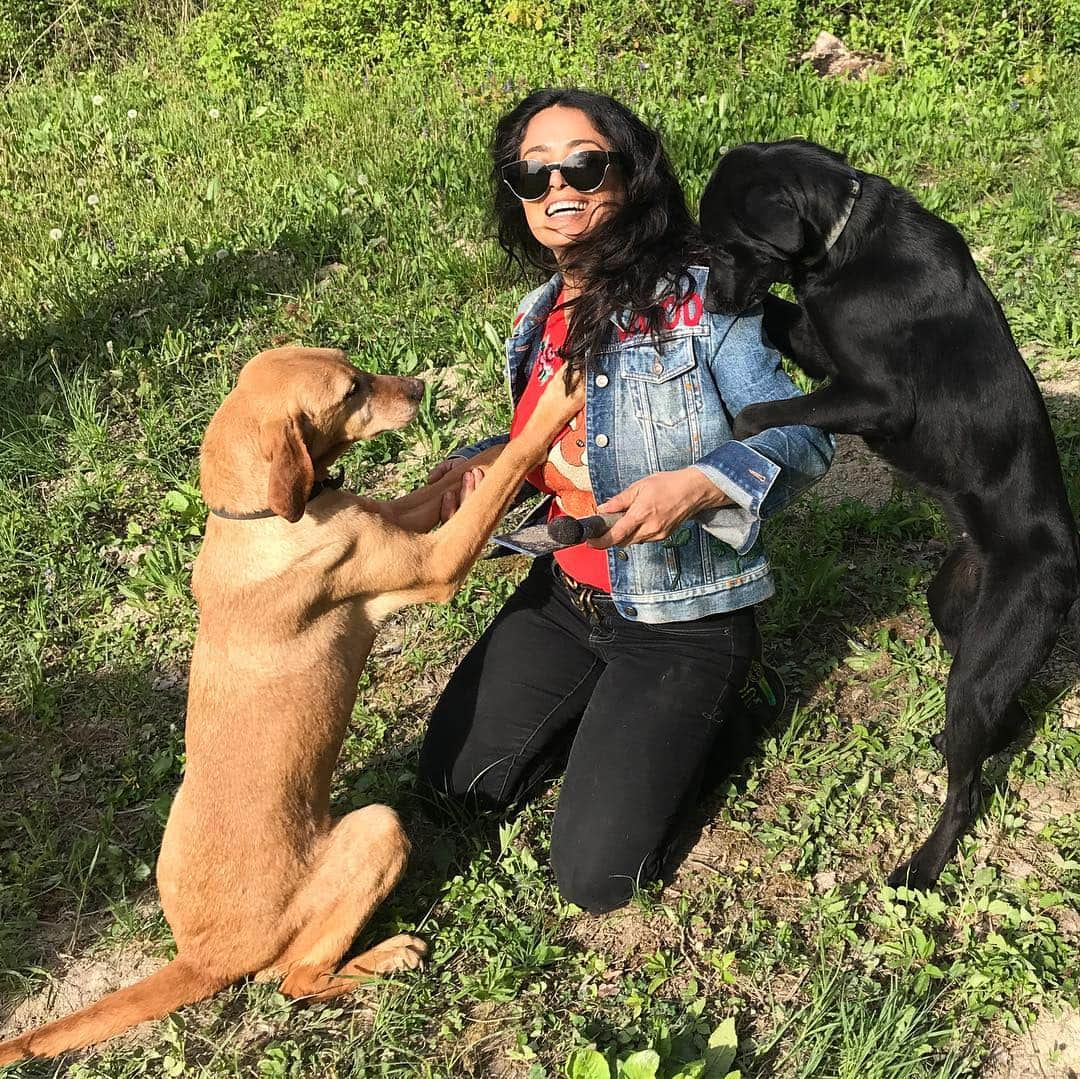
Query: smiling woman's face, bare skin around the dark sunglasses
pixel 565 215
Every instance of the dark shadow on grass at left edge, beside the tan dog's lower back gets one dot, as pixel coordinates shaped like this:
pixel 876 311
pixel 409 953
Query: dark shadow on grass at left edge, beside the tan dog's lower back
pixel 85 783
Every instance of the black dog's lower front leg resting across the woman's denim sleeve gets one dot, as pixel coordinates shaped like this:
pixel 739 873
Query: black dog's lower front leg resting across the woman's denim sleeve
pixel 836 408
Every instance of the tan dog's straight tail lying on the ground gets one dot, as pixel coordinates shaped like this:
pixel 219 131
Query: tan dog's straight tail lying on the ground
pixel 178 983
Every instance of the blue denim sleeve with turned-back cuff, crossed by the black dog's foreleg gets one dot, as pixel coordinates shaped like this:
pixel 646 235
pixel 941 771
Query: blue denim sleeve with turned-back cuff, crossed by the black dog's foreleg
pixel 764 474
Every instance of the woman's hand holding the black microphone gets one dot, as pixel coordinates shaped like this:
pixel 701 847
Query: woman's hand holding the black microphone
pixel 655 507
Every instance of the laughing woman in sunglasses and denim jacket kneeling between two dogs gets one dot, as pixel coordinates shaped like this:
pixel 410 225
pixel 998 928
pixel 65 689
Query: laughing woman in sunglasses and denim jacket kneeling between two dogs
pixel 629 651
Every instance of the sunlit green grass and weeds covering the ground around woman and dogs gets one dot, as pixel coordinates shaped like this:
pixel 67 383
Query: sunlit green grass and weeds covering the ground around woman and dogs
pixel 219 217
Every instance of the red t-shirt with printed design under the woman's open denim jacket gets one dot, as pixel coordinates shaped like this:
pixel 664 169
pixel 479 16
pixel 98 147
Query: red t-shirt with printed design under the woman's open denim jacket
pixel 565 475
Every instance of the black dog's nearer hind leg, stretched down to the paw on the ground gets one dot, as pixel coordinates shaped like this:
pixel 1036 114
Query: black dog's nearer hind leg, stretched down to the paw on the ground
pixel 1005 641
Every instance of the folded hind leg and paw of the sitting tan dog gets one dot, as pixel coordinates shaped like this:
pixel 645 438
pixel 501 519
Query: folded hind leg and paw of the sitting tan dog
pixel 362 858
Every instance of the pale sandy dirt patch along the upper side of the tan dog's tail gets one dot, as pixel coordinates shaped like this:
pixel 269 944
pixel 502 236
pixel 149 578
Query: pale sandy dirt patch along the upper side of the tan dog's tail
pixel 82 982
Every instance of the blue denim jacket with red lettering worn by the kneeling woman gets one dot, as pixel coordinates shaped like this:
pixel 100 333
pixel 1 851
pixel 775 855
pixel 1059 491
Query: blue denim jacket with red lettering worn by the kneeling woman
pixel 666 404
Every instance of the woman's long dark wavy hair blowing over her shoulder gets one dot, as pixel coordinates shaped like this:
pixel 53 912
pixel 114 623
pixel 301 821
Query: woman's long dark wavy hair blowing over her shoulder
pixel 623 260
